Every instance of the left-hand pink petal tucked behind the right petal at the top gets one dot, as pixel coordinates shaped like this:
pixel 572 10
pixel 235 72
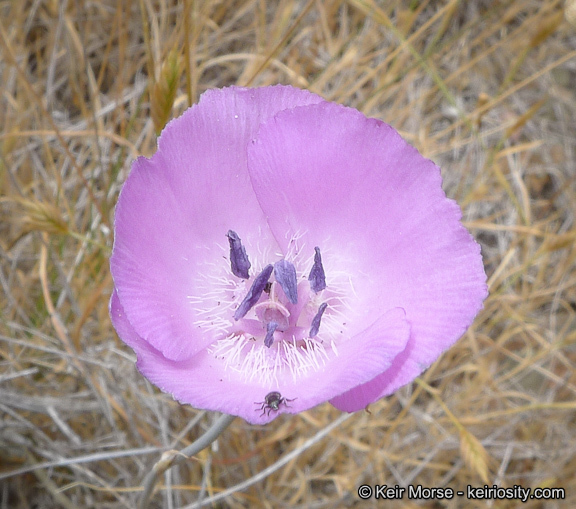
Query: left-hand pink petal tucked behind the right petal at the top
pixel 184 199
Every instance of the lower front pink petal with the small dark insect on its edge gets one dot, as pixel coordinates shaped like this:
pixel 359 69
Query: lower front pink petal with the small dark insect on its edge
pixel 203 382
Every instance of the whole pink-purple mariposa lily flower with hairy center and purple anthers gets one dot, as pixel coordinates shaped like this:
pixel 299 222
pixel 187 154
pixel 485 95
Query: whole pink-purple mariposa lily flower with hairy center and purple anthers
pixel 279 251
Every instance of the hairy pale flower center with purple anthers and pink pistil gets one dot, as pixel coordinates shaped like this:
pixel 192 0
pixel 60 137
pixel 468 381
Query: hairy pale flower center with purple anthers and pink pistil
pixel 281 318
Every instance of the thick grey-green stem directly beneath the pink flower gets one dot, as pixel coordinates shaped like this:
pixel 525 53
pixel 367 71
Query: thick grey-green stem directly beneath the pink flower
pixel 172 458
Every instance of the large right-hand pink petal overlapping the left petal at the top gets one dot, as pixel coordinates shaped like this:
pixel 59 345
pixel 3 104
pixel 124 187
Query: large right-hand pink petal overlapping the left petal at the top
pixel 353 184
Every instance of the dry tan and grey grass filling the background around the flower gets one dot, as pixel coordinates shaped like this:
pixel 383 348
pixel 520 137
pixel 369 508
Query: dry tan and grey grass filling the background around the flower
pixel 485 88
